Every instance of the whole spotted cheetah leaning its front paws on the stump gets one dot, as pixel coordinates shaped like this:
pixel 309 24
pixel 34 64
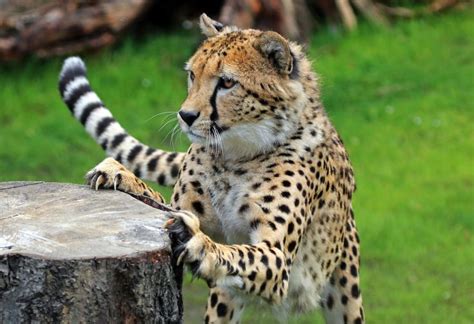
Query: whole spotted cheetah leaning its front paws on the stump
pixel 262 197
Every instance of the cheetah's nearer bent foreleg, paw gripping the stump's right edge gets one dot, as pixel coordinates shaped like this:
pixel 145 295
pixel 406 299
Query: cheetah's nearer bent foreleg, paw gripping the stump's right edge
pixel 260 269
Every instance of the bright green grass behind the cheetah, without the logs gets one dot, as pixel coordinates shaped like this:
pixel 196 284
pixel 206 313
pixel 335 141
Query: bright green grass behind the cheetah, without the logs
pixel 402 99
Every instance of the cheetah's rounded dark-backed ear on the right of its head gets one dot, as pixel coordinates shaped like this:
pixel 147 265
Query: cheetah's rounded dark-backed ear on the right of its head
pixel 276 49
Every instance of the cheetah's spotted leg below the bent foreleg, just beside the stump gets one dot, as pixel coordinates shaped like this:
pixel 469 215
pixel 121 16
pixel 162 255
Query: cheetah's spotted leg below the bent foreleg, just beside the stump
pixel 223 307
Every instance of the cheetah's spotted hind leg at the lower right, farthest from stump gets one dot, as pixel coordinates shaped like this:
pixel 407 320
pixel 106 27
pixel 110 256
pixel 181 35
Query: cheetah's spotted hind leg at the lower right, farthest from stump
pixel 342 300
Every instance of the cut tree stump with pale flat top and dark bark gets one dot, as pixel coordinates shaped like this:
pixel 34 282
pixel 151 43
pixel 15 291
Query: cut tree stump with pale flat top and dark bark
pixel 69 254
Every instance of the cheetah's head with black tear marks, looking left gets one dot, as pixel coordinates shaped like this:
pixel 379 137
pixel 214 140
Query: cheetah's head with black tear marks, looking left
pixel 244 96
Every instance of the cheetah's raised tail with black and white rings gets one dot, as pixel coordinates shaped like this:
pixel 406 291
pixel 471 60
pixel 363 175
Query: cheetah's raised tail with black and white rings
pixel 146 162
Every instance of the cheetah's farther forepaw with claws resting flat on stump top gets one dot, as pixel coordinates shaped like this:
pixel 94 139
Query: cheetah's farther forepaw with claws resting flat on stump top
pixel 110 174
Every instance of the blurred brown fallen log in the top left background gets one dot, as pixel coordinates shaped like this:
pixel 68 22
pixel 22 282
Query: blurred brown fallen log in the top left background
pixel 51 27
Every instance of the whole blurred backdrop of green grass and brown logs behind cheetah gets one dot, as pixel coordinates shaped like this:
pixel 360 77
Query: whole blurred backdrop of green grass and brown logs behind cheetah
pixel 397 79
